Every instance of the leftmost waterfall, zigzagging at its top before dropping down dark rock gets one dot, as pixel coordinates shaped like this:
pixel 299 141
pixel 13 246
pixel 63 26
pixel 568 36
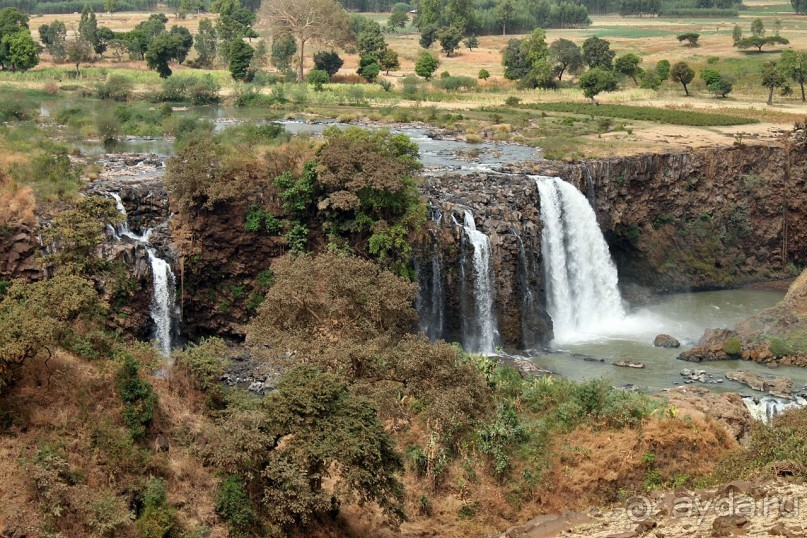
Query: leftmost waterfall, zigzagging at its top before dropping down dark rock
pixel 163 300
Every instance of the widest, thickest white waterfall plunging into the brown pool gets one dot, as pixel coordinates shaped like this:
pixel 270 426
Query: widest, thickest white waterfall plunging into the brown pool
pixel 581 279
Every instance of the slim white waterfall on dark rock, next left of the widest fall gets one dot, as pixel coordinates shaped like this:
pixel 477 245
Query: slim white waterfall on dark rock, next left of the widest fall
pixel 479 328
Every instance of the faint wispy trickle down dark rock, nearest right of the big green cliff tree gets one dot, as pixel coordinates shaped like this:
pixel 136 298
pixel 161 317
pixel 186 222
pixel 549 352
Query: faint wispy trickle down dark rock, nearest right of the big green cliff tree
pixel 431 298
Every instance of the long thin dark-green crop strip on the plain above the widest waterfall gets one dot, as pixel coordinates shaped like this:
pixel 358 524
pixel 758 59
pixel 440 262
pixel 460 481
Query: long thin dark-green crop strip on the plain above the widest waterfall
pixel 646 113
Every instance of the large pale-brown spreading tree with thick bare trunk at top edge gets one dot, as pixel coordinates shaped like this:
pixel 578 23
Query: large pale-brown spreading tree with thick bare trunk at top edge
pixel 324 21
